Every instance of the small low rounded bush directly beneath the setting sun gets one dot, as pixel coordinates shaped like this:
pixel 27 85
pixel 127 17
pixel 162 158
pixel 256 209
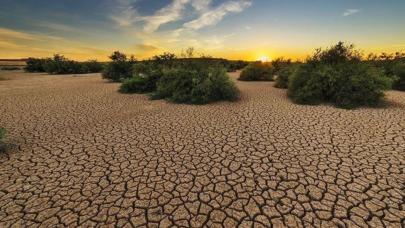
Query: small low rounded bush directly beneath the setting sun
pixel 257 71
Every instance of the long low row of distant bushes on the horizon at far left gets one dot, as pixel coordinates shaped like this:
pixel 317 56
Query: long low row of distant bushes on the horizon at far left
pixel 61 65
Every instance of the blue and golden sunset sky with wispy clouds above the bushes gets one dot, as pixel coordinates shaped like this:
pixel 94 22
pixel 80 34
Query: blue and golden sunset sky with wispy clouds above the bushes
pixel 233 29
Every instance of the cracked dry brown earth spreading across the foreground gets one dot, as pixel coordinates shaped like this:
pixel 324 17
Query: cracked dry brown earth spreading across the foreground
pixel 85 155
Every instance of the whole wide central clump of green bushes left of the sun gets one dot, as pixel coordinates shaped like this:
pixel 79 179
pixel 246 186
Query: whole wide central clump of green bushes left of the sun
pixel 191 81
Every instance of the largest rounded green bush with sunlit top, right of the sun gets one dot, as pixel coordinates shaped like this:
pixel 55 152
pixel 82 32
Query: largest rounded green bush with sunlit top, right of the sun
pixel 337 75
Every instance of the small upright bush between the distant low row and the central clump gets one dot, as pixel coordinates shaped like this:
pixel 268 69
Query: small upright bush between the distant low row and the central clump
pixel 119 68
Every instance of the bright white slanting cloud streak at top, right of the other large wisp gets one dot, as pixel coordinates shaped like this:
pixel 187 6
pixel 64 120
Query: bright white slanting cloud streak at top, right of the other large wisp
pixel 214 16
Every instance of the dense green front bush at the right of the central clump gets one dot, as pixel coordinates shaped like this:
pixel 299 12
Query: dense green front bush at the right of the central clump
pixel 196 87
